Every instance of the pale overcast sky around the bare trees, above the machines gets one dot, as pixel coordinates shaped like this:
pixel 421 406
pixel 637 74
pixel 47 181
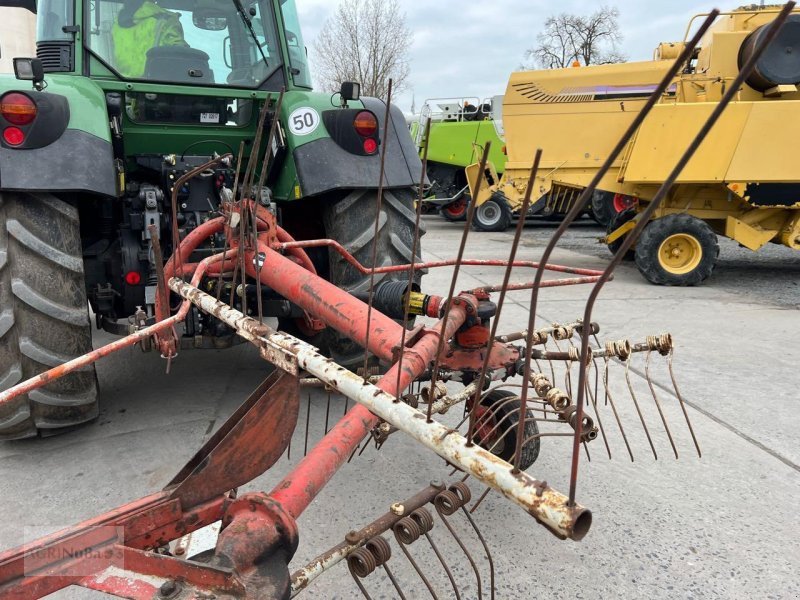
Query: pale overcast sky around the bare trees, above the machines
pixel 469 48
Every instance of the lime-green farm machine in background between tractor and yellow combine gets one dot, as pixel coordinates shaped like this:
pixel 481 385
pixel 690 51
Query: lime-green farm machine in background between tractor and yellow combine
pixel 460 127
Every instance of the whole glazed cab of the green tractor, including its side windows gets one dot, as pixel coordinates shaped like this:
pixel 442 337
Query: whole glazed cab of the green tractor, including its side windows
pixel 229 43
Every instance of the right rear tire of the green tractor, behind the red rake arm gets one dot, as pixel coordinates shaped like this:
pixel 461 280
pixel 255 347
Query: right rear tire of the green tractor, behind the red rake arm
pixel 351 222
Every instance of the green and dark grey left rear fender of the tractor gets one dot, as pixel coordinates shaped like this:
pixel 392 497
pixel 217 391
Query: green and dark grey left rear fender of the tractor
pixel 79 159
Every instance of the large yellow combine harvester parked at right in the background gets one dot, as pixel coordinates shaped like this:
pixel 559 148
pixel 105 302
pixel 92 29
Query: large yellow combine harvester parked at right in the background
pixel 743 183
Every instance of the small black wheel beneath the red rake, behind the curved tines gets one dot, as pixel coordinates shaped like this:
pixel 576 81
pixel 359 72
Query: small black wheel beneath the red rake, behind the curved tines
pixel 498 422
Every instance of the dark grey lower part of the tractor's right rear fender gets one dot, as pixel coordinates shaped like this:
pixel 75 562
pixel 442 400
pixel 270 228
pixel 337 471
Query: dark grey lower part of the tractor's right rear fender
pixel 322 165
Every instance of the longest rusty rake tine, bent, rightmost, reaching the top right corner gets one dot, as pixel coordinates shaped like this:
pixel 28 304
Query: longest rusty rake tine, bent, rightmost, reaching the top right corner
pixel 665 188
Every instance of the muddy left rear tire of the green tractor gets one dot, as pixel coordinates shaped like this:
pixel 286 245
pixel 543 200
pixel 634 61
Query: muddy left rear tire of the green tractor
pixel 44 316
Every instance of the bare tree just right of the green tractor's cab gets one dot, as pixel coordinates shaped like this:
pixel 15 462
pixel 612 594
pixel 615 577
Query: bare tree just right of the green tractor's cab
pixel 365 41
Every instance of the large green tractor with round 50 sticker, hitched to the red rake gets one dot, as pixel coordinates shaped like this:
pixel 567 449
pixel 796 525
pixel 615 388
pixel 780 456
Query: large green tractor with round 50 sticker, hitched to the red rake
pixel 122 100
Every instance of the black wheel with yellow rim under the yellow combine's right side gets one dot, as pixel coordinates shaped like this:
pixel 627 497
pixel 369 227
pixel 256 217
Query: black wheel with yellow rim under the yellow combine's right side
pixel 677 250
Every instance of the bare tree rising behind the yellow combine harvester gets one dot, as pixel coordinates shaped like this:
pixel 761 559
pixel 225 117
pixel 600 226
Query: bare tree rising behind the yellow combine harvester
pixel 569 38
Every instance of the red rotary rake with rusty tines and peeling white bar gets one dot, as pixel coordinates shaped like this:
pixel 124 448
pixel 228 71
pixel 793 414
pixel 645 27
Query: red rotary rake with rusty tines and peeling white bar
pixel 510 395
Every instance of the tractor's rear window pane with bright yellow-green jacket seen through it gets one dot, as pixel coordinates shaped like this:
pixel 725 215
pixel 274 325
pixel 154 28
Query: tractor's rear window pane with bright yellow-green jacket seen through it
pixel 188 42
